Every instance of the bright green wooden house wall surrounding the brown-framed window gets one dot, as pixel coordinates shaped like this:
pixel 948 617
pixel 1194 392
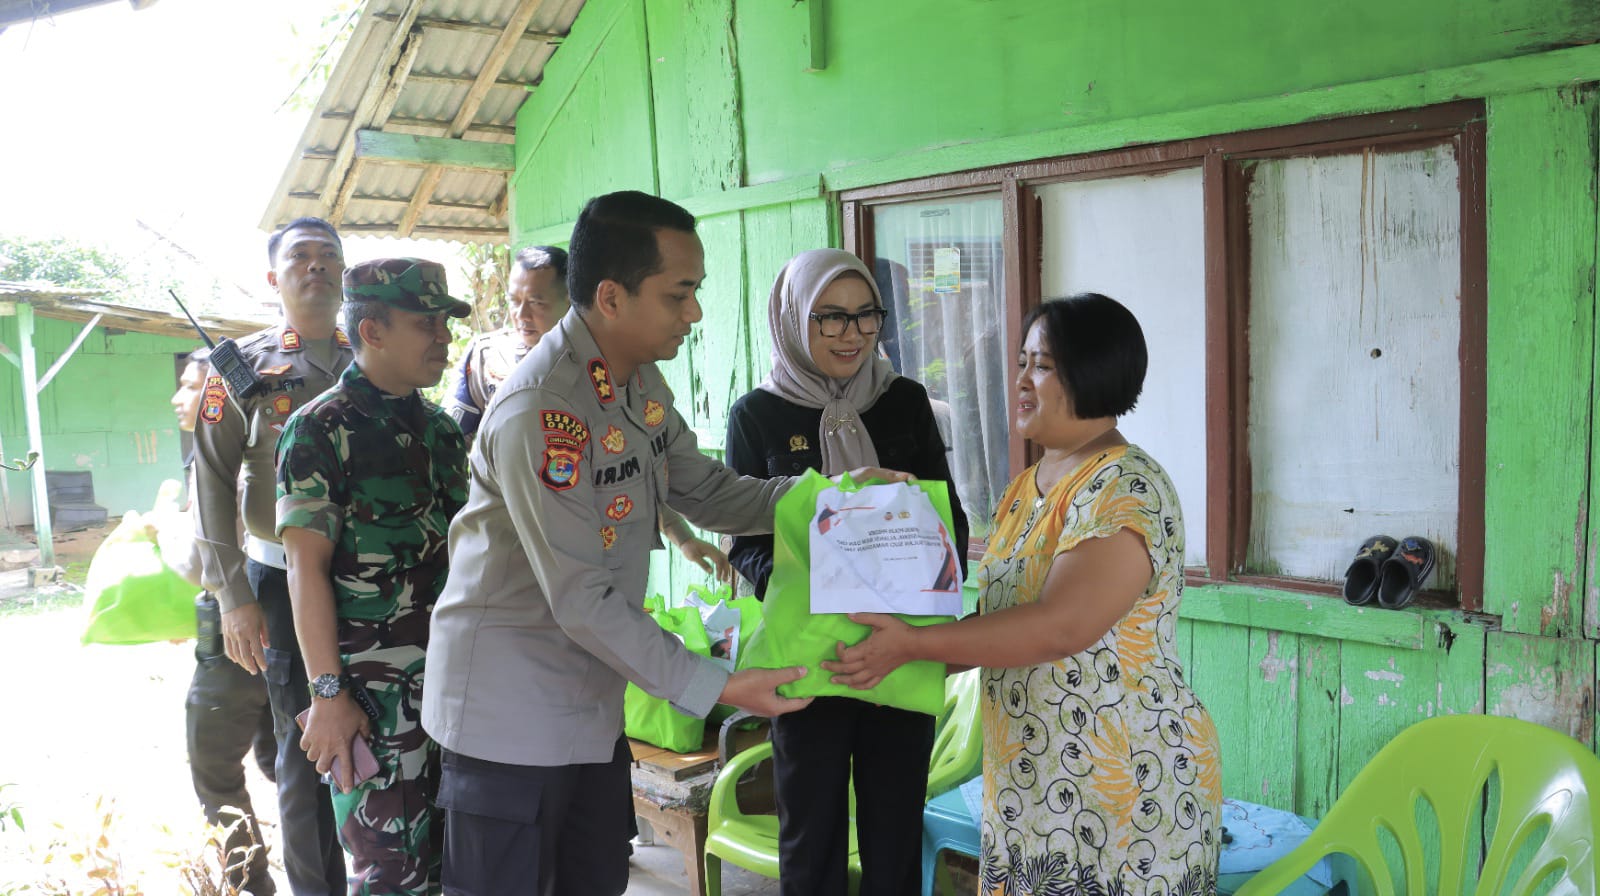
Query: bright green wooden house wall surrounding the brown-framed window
pixel 756 114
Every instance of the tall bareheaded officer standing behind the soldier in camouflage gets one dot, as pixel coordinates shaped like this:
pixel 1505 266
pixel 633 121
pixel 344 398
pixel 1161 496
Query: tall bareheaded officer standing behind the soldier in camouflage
pixel 297 361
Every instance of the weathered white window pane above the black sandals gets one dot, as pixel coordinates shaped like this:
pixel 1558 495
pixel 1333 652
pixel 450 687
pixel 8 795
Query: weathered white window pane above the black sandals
pixel 1354 358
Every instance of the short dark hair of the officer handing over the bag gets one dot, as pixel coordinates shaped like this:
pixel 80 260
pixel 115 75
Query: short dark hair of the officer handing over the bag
pixel 615 239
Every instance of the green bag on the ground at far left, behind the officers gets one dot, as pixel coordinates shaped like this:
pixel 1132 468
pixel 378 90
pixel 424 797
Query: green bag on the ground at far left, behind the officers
pixel 132 596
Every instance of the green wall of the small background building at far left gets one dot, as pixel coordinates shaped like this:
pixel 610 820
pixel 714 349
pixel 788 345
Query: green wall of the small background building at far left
pixel 106 412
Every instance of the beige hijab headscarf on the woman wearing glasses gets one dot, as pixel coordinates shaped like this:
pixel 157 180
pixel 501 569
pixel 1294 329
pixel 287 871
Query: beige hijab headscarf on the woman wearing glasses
pixel 796 377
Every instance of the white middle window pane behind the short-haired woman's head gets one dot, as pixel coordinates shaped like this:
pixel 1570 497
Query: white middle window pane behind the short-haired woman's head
pixel 1142 241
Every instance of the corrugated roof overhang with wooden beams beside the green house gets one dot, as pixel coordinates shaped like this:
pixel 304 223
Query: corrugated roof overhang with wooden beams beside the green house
pixel 420 68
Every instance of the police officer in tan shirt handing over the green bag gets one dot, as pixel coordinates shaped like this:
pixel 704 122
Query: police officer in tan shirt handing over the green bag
pixel 540 625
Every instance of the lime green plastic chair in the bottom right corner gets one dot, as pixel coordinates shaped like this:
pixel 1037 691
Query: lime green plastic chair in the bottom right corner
pixel 1546 814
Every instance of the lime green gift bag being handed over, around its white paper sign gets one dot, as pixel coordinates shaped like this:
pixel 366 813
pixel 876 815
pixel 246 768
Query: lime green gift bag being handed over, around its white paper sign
pixel 793 636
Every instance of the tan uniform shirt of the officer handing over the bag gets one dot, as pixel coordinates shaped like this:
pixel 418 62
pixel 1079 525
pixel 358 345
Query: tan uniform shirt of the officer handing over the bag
pixel 542 623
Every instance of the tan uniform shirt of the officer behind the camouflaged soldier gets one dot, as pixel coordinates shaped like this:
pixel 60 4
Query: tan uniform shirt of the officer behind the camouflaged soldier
pixel 234 436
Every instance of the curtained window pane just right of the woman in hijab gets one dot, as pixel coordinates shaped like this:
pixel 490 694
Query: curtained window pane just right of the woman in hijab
pixel 942 270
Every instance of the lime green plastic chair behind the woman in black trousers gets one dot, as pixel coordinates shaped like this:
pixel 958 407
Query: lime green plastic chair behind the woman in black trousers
pixel 751 841
